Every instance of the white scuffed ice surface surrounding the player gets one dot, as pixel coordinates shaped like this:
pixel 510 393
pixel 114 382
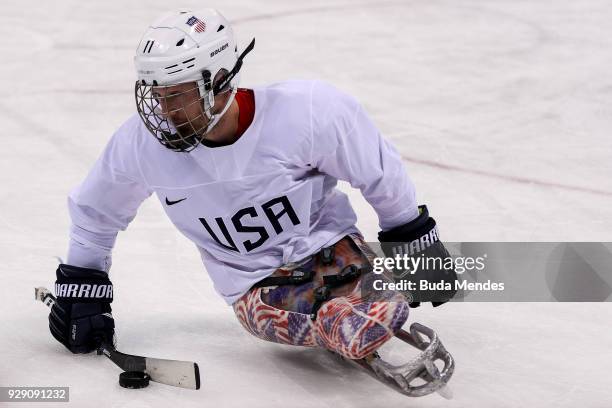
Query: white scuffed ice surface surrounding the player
pixel 502 110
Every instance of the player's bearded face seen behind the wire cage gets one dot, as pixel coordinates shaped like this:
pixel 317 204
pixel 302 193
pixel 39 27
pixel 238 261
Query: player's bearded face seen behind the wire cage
pixel 181 104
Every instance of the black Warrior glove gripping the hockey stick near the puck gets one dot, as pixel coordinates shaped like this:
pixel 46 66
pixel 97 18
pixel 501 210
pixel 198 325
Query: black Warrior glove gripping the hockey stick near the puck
pixel 81 317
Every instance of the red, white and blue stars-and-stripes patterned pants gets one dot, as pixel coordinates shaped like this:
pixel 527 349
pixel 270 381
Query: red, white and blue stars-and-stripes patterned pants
pixel 353 322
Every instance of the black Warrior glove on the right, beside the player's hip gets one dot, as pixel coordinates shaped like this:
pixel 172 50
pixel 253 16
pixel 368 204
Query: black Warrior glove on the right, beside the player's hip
pixel 419 239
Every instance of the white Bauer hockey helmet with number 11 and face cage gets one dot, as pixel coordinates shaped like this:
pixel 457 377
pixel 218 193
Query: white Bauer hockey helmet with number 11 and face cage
pixel 186 47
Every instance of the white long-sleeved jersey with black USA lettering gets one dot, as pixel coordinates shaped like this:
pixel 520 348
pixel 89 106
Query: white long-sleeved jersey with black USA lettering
pixel 250 207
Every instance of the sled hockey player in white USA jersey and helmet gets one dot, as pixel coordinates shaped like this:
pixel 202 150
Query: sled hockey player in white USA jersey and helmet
pixel 249 176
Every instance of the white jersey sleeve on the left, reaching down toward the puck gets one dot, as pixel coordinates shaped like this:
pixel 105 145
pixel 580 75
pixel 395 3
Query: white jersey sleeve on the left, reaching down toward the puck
pixel 106 201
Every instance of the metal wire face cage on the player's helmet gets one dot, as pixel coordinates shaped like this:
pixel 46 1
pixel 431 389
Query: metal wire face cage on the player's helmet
pixel 180 115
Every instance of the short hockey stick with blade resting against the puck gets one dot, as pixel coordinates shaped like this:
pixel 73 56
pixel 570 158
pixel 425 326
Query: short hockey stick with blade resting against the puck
pixel 184 374
